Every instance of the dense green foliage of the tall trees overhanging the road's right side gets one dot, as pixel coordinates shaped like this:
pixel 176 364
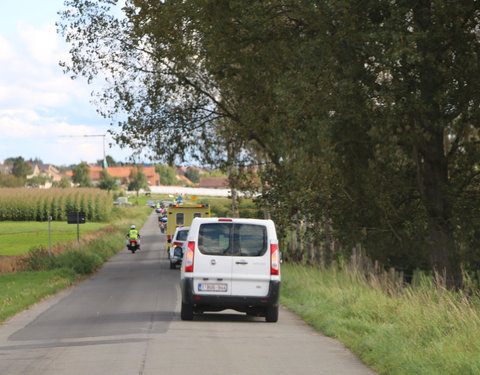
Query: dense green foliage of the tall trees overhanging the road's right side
pixel 360 116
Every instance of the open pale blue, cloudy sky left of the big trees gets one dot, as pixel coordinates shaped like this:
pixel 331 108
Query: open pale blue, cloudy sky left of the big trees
pixel 43 113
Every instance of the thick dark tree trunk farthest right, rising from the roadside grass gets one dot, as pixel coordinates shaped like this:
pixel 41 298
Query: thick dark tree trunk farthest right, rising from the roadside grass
pixel 431 159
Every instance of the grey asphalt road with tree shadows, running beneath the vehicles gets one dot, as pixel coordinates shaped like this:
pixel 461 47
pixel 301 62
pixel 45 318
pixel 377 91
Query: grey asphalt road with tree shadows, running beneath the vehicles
pixel 125 320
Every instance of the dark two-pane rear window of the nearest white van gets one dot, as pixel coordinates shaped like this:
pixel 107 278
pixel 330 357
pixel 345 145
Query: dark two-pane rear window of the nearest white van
pixel 232 239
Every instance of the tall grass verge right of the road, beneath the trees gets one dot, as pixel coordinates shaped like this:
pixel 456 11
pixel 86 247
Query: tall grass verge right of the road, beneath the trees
pixel 417 331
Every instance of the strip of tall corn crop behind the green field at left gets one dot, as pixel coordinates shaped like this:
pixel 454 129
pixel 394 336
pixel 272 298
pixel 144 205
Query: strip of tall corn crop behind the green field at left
pixel 24 204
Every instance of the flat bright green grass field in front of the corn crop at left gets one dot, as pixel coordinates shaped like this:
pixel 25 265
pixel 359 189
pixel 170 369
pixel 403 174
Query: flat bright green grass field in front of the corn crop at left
pixel 18 237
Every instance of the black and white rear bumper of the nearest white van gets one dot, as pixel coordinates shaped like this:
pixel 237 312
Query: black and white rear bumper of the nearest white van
pixel 221 302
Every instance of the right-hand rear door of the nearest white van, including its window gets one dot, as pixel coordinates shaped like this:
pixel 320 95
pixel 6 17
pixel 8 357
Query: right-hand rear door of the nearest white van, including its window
pixel 251 260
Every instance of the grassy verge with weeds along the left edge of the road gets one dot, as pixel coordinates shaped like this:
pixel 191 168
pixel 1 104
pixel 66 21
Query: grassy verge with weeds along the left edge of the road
pixel 44 275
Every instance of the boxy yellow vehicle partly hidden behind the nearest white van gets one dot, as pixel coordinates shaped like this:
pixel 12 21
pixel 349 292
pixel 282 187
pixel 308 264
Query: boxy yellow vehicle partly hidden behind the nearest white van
pixel 181 215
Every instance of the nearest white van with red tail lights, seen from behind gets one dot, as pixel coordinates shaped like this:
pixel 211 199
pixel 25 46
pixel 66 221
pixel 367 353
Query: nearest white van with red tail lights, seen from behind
pixel 231 264
